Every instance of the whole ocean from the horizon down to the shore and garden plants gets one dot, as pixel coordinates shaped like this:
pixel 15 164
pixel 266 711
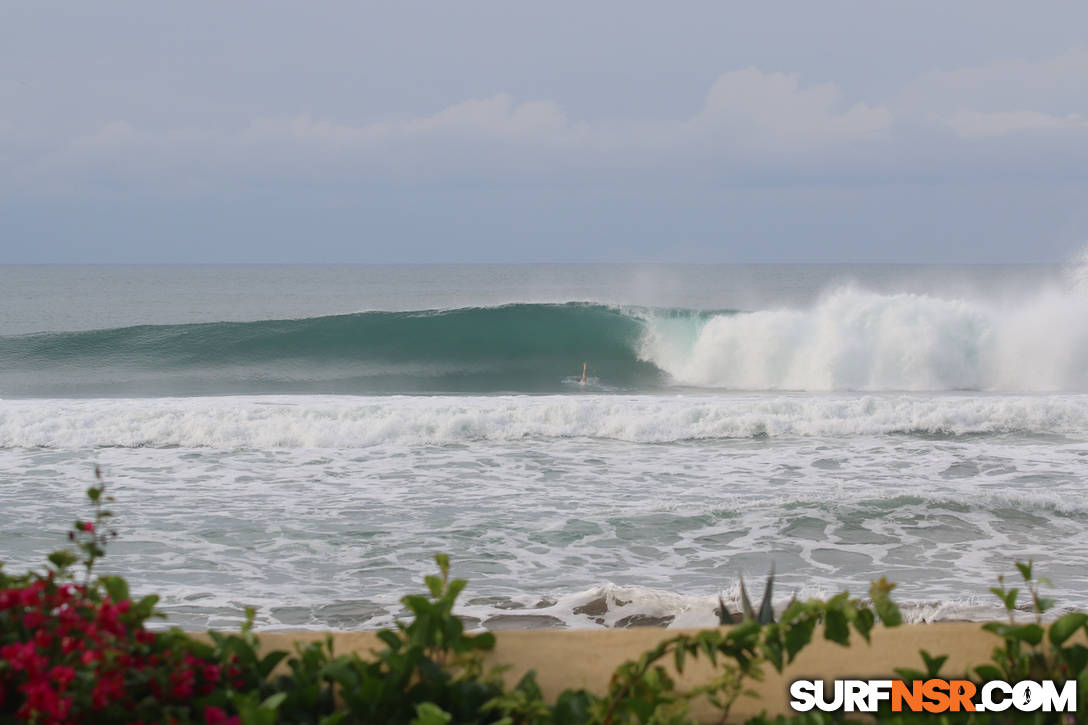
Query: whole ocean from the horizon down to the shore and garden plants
pixel 303 439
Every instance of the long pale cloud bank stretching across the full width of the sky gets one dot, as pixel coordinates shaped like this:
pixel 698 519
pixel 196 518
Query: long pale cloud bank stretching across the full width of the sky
pixel 752 124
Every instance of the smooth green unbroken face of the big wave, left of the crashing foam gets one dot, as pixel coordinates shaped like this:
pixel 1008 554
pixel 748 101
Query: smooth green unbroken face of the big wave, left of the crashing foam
pixel 526 348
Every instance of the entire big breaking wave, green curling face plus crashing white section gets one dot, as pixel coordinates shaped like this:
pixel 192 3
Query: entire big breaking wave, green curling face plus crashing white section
pixel 850 340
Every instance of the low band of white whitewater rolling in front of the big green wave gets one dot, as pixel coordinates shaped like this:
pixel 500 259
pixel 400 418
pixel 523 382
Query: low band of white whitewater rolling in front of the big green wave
pixel 350 423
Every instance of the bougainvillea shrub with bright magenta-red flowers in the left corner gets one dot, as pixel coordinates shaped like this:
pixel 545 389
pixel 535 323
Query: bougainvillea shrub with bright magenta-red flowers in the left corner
pixel 80 652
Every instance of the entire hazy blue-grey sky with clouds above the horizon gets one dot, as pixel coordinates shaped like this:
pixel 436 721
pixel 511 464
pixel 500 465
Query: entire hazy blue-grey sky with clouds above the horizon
pixel 511 132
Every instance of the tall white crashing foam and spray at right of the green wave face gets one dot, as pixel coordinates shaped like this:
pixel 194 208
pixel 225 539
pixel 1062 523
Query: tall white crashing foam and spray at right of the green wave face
pixel 855 339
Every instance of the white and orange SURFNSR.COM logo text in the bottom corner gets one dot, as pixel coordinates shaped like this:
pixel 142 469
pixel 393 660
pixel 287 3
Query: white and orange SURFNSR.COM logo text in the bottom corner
pixel 933 696
